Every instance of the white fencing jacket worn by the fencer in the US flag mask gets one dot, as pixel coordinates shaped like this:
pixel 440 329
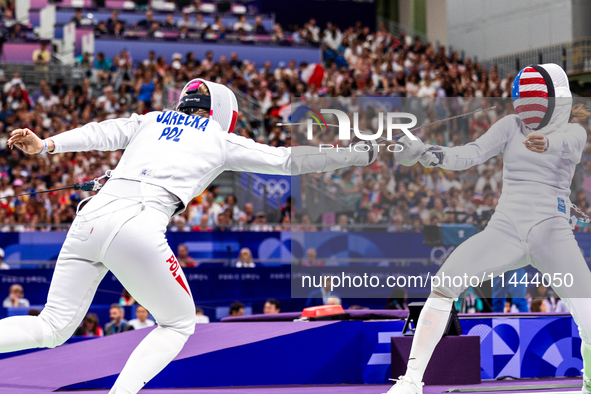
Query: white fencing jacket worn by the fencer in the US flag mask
pixel 535 186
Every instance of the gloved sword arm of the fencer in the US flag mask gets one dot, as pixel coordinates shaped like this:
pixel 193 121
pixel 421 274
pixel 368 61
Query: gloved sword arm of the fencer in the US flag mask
pixel 474 153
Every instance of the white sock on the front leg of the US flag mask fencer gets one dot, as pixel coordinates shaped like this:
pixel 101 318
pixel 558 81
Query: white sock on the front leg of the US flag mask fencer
pixel 432 323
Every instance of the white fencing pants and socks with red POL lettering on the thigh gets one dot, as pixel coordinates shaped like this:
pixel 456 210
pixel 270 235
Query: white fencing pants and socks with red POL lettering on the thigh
pixel 128 238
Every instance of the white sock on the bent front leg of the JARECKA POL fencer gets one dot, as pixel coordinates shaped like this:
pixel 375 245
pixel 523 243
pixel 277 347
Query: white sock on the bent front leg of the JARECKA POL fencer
pixel 154 353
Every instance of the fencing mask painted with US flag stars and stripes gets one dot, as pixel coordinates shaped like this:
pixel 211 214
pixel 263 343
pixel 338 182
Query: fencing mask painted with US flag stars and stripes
pixel 542 98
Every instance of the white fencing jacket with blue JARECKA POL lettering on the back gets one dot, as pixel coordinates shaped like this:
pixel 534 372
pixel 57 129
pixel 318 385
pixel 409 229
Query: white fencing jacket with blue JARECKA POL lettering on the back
pixel 184 154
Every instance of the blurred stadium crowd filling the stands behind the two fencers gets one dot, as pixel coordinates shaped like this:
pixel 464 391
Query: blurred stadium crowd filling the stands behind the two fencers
pixel 357 62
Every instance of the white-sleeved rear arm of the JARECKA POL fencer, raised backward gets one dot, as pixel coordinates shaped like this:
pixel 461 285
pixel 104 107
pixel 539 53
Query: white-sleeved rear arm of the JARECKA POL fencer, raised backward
pixel 105 136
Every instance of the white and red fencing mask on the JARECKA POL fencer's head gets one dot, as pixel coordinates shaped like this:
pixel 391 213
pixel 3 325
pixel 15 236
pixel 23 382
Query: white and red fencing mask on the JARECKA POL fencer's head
pixel 221 102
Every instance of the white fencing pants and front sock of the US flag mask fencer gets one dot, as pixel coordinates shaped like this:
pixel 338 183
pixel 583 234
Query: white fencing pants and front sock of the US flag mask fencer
pixel 550 246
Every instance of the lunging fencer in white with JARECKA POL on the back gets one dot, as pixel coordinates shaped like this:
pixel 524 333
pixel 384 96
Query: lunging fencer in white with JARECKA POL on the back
pixel 170 157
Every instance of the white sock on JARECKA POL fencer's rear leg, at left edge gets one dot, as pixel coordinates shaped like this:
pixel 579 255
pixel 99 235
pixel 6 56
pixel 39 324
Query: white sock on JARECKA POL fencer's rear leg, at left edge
pixel 22 332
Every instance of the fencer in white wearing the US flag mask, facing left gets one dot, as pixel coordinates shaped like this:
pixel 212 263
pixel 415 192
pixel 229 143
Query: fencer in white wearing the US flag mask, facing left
pixel 531 221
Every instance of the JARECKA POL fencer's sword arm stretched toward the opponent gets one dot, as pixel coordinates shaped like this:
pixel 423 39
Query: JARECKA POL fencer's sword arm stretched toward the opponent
pixel 243 154
